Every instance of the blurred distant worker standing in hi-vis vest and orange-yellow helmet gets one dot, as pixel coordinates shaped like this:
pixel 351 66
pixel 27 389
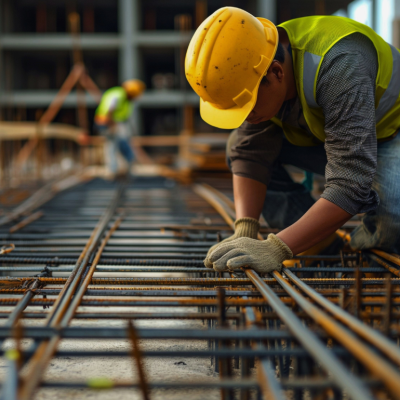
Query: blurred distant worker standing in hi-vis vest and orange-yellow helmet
pixel 111 120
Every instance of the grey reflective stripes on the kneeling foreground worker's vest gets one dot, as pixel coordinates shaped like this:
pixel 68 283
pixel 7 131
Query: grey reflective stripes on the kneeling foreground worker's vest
pixel 387 101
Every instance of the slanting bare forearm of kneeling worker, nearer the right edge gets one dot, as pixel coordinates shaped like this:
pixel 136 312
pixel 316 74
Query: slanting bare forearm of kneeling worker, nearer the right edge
pixel 321 220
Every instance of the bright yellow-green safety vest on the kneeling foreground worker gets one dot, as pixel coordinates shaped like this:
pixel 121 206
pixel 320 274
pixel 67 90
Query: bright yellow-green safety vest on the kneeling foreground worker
pixel 310 39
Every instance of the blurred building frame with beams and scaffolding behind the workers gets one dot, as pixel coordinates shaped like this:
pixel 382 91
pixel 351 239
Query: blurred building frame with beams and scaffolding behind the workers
pixel 119 40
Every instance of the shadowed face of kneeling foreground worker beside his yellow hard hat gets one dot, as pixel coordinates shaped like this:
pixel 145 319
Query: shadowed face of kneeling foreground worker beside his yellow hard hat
pixel 271 95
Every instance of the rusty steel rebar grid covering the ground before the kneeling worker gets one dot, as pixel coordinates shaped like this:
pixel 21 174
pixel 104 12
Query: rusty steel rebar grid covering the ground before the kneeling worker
pixel 326 328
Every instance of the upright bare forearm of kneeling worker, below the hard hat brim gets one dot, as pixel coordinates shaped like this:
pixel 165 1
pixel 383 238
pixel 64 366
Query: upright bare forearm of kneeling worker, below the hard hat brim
pixel 249 197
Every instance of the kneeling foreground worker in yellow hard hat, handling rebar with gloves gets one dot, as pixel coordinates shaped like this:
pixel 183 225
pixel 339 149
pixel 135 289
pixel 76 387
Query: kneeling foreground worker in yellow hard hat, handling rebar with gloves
pixel 320 93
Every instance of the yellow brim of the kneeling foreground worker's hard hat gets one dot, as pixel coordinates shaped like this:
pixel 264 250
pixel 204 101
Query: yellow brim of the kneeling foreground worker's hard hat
pixel 230 118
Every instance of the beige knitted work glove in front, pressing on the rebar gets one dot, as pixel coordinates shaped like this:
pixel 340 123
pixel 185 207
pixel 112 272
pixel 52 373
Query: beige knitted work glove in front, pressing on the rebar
pixel 262 256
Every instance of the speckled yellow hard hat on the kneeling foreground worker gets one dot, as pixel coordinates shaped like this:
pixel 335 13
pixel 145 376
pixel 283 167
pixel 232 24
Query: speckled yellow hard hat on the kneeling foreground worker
pixel 227 57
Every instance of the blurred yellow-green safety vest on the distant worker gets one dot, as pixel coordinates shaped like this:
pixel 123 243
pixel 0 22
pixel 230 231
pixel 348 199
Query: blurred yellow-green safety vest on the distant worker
pixel 124 107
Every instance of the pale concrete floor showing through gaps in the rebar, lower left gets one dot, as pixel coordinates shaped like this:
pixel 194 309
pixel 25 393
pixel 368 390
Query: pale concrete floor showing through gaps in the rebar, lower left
pixel 158 369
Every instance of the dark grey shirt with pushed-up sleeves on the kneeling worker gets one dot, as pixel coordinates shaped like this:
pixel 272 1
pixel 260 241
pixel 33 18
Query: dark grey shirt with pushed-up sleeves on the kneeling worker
pixel 346 94
